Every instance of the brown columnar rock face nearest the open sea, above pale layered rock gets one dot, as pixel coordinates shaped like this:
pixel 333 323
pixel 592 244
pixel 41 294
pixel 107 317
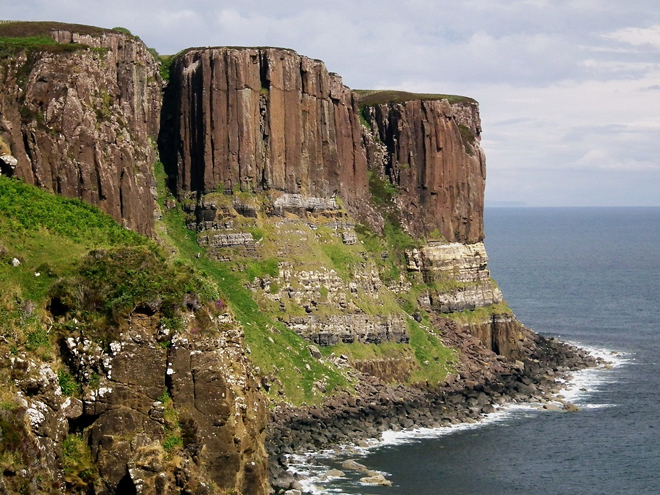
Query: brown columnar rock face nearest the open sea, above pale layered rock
pixel 434 157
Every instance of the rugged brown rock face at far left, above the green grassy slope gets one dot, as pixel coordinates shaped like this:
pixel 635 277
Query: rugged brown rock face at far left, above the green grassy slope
pixel 78 119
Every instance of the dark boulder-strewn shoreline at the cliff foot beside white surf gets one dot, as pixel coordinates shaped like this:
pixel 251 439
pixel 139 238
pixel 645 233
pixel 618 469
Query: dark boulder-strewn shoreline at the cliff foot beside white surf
pixel 538 376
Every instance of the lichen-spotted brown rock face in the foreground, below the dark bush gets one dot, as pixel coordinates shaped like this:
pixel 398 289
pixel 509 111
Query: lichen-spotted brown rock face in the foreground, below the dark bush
pixel 195 399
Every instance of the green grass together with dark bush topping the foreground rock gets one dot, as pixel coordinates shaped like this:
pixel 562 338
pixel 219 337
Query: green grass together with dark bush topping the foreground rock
pixel 74 256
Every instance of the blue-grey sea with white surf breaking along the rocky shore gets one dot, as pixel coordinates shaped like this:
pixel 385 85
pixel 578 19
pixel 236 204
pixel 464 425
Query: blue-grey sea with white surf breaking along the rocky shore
pixel 590 276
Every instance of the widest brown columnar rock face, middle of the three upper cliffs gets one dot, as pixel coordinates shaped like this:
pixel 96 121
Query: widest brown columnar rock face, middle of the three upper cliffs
pixel 262 118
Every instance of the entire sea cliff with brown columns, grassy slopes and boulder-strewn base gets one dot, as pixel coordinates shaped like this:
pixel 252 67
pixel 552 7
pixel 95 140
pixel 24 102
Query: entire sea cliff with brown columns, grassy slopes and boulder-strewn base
pixel 291 264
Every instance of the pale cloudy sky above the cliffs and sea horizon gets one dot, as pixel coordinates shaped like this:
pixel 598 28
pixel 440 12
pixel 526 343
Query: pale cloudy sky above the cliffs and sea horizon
pixel 569 90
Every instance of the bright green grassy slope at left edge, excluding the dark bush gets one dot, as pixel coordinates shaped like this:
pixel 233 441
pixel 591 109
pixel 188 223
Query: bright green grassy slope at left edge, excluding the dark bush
pixel 48 235
